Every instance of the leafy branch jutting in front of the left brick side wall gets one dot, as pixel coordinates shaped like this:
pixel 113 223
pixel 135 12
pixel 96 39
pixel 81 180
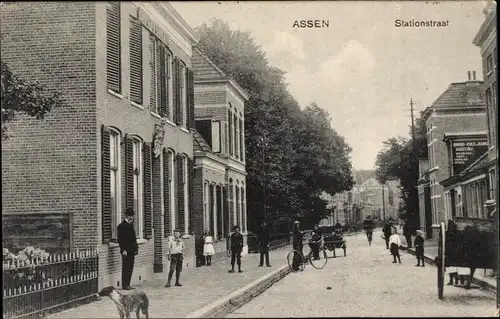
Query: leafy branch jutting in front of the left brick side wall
pixel 22 97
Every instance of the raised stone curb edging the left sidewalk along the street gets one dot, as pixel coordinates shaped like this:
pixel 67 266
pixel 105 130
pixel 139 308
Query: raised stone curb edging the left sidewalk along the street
pixel 241 296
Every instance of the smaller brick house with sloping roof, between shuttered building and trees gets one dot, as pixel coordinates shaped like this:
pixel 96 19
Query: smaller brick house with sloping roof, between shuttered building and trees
pixel 219 153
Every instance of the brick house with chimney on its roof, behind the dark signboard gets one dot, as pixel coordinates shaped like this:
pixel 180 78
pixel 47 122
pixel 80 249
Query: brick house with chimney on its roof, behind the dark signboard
pixel 460 109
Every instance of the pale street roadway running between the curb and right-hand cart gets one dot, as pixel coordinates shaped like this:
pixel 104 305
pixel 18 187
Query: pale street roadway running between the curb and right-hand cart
pixel 366 283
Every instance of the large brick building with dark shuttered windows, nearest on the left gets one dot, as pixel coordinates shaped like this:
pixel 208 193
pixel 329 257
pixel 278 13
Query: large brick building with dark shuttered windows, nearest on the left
pixel 124 138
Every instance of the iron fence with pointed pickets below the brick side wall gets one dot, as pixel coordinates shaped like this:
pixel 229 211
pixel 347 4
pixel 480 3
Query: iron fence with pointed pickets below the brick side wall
pixel 38 286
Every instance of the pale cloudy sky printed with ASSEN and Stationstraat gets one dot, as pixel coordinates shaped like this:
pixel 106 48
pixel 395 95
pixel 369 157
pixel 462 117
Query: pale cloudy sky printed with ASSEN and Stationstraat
pixel 361 69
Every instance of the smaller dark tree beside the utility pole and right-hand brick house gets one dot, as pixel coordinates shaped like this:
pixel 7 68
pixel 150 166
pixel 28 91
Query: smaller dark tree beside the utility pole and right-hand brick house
pixel 398 161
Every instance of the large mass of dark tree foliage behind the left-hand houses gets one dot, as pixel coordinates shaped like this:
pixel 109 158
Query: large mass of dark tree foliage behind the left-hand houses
pixel 292 154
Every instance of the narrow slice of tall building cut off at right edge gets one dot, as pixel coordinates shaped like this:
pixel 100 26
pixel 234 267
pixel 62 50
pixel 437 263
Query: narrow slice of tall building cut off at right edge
pixel 486 40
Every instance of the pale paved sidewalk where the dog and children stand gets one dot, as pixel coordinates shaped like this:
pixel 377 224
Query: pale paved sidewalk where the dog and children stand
pixel 201 286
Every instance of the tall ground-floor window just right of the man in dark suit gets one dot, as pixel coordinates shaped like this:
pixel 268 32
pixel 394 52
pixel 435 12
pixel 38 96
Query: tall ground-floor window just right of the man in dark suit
pixel 138 186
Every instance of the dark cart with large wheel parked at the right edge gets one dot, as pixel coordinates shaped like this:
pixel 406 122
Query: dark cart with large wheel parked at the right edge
pixel 466 242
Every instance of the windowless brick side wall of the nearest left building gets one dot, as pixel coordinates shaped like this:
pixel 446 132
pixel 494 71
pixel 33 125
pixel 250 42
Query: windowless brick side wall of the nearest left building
pixel 49 166
